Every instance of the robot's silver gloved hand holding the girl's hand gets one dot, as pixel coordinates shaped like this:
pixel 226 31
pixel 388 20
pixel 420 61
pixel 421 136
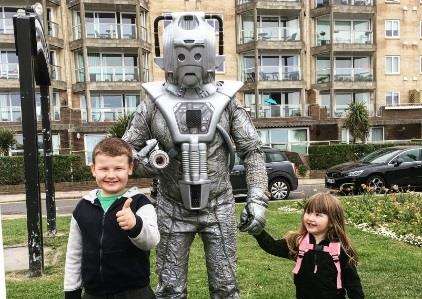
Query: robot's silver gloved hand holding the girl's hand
pixel 252 218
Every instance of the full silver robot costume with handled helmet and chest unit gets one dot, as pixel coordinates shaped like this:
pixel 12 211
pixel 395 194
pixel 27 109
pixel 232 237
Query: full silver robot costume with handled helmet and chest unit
pixel 194 119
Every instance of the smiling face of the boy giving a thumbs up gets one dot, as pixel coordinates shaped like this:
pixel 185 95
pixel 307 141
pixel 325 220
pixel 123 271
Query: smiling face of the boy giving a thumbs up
pixel 111 173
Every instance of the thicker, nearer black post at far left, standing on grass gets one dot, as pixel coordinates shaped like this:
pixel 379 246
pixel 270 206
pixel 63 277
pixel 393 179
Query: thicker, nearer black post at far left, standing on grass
pixel 25 44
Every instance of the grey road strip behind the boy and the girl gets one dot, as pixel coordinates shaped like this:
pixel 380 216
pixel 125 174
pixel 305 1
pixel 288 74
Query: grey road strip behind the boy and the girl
pixel 66 206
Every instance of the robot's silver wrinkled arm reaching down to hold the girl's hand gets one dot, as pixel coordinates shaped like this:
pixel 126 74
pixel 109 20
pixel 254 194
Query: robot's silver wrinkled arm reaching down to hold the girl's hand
pixel 248 145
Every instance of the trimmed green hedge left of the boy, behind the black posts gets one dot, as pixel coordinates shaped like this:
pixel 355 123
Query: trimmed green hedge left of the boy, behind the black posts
pixel 66 168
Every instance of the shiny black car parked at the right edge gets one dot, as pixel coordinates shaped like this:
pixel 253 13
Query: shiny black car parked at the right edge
pixel 384 168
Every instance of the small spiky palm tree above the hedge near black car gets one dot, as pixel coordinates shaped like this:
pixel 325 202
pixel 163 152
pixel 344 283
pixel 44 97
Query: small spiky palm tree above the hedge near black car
pixel 357 121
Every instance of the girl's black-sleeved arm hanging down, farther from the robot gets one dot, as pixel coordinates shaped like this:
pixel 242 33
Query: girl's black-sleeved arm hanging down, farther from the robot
pixel 350 278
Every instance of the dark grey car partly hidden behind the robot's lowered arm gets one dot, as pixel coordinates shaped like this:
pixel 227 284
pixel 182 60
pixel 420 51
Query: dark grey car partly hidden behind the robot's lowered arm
pixel 281 174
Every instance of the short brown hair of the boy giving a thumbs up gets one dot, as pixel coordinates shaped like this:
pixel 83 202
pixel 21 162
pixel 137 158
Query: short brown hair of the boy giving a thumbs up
pixel 112 147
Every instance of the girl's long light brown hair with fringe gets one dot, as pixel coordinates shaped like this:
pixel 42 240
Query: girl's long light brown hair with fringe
pixel 327 204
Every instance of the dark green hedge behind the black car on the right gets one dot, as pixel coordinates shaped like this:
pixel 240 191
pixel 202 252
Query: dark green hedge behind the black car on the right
pixel 322 157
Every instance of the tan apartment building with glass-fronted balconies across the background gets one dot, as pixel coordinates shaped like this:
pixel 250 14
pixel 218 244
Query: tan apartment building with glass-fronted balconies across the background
pixel 302 64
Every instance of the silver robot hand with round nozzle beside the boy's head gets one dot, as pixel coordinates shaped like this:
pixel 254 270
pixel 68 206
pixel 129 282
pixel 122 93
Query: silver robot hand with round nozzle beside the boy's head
pixel 151 157
